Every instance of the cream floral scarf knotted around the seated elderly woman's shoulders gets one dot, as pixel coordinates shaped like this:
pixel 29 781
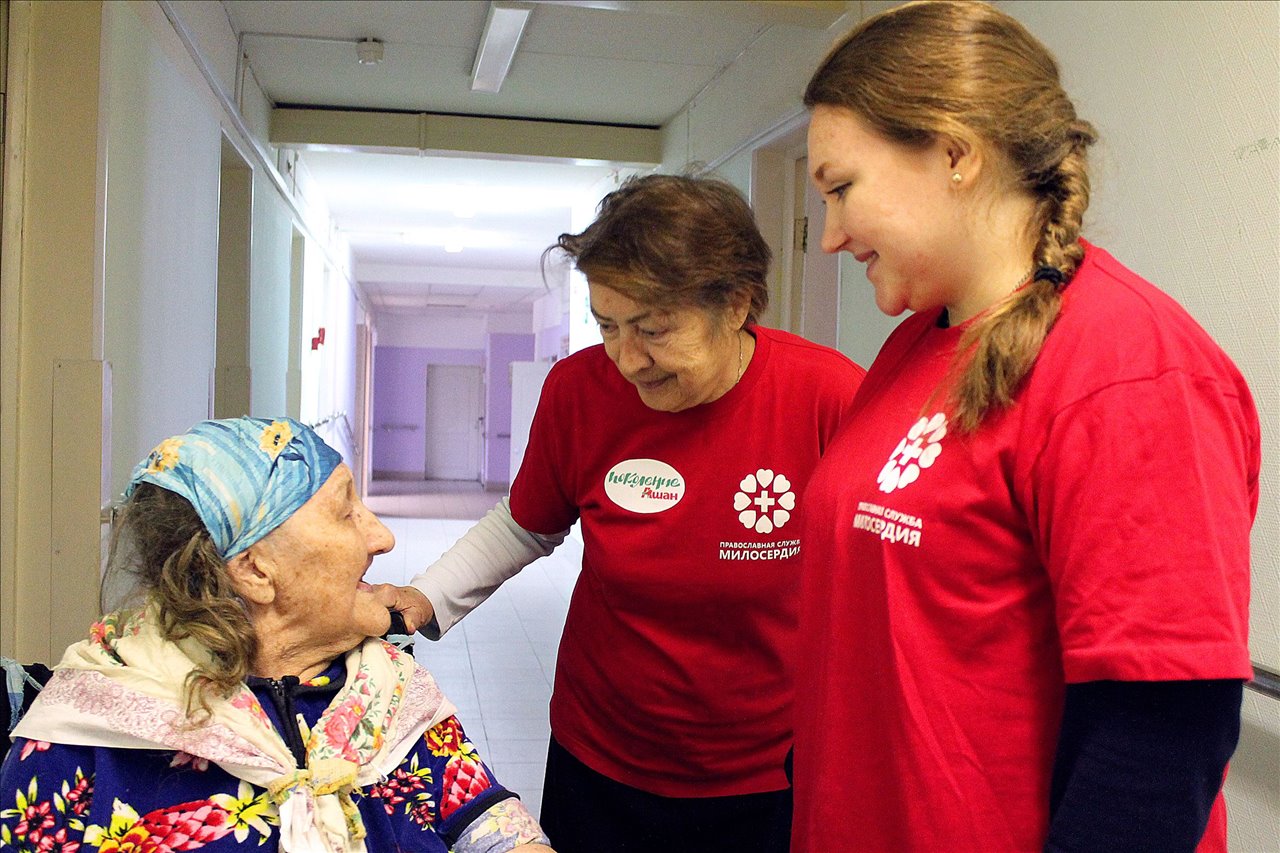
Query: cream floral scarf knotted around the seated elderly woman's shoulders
pixel 124 688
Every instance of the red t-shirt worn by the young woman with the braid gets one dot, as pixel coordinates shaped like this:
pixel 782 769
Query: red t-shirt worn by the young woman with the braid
pixel 954 585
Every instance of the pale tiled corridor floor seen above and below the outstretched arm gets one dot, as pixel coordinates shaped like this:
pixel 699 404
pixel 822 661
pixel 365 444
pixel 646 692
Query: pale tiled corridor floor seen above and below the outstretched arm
pixel 497 664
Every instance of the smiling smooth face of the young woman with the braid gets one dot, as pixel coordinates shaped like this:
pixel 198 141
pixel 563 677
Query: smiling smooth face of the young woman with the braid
pixel 890 207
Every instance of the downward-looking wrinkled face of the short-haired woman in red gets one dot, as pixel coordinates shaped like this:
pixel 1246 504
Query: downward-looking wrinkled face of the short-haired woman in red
pixel 676 358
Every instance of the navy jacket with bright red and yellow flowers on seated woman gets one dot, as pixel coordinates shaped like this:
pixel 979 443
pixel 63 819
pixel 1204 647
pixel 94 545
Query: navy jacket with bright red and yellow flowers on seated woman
pixel 70 799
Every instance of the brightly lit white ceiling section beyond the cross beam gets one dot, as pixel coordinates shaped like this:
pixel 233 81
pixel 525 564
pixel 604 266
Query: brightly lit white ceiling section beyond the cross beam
pixel 399 212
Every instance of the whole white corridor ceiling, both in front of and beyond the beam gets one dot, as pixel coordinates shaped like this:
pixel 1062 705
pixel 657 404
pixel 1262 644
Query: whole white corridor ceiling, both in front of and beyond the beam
pixel 612 62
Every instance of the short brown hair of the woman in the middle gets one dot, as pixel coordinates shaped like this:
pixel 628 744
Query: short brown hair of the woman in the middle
pixel 670 240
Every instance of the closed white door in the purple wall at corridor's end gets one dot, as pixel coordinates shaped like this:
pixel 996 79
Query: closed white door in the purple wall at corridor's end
pixel 455 417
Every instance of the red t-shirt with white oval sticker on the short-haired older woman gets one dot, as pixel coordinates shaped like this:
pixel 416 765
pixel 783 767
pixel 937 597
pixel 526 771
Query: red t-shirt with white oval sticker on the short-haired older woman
pixel 674 670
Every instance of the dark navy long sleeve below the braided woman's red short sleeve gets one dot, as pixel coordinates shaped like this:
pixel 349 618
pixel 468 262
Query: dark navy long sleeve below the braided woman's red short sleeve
pixel 1140 764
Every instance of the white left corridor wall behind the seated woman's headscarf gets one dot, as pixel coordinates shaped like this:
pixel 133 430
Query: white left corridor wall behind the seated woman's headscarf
pixel 163 136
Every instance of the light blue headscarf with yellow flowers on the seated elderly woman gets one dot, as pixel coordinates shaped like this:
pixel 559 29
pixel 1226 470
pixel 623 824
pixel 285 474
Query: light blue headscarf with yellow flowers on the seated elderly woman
pixel 245 476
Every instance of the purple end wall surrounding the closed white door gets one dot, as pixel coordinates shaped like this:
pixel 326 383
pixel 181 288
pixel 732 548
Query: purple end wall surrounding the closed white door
pixel 400 404
